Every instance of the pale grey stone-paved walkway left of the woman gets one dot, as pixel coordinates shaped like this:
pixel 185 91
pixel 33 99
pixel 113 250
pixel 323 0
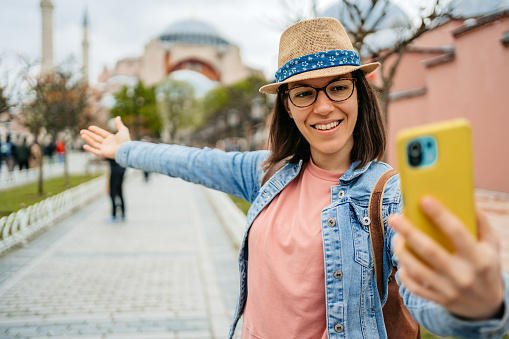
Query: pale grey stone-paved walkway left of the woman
pixel 168 271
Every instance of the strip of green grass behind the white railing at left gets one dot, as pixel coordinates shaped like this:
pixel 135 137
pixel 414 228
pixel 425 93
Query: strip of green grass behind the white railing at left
pixel 11 200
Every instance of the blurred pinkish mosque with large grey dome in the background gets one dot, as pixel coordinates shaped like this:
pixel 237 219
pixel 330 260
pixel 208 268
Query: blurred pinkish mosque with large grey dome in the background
pixel 185 45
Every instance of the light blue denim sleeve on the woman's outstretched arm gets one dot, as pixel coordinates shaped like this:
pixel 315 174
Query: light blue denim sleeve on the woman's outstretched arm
pixel 234 173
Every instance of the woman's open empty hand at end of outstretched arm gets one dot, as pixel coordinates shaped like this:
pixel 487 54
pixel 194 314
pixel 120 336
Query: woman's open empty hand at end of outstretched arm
pixel 103 143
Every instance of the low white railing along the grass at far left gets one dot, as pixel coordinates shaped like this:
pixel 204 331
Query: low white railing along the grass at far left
pixel 19 226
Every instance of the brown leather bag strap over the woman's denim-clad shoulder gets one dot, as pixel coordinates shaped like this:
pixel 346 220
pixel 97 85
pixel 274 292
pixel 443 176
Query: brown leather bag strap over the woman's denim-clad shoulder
pixel 376 228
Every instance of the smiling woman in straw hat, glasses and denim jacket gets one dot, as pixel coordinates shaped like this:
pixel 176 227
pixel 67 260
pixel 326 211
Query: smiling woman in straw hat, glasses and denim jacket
pixel 310 263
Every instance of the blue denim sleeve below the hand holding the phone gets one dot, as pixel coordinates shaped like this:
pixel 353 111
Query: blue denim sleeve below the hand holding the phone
pixel 440 321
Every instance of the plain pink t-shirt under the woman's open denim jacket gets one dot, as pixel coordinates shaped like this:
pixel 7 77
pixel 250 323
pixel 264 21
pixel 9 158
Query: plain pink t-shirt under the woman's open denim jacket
pixel 286 283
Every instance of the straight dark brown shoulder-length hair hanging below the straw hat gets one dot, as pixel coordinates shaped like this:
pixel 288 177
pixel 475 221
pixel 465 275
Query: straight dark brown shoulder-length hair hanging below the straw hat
pixel 286 141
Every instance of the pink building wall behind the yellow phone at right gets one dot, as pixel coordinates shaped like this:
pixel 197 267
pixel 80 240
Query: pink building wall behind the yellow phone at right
pixel 473 85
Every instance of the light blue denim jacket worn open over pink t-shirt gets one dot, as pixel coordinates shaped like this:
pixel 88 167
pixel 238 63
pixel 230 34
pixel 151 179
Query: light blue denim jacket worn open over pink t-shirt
pixel 353 306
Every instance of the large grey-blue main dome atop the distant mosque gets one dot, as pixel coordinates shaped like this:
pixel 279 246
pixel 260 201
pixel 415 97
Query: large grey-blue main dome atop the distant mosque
pixel 192 32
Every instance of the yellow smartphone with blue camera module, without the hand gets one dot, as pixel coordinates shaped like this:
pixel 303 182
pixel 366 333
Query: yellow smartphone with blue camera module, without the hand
pixel 436 160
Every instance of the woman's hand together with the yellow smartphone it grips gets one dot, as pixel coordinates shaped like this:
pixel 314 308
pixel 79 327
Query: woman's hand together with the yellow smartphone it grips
pixel 446 252
